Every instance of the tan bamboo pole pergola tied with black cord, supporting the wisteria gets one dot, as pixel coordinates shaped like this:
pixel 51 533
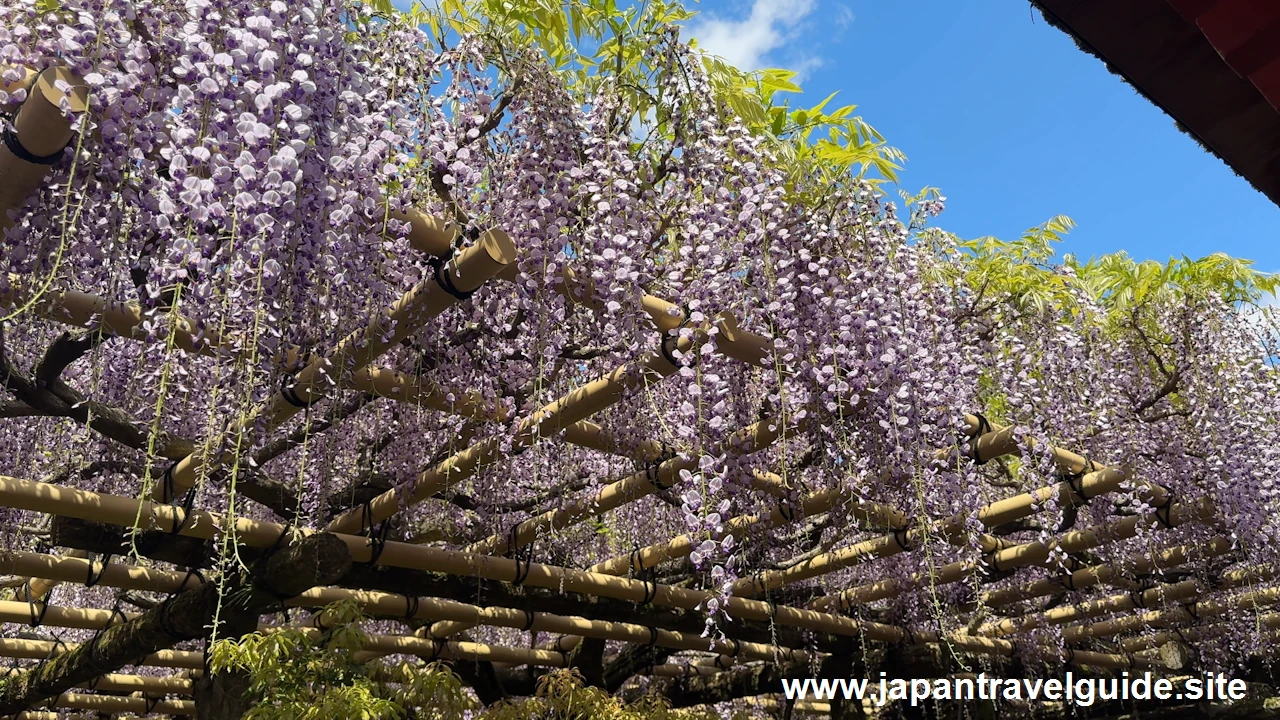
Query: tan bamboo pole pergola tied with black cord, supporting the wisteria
pixel 642 613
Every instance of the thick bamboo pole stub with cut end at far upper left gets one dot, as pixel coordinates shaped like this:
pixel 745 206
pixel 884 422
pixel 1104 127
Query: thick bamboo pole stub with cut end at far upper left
pixel 40 134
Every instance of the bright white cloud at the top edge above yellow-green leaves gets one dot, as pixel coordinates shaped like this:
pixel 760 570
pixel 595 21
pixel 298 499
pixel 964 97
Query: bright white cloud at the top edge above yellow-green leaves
pixel 746 43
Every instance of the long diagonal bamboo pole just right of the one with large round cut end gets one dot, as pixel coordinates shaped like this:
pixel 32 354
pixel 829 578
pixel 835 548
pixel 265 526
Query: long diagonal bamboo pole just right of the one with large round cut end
pixel 547 421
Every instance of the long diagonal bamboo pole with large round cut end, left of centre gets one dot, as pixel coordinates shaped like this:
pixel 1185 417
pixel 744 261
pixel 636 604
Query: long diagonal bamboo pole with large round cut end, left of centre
pixel 468 272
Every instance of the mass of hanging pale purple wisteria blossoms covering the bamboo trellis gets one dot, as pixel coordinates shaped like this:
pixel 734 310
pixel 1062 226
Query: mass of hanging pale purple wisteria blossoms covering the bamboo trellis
pixel 246 167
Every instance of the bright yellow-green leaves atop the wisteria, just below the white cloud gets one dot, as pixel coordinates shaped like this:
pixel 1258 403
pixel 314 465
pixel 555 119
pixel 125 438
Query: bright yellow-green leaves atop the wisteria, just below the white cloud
pixel 598 44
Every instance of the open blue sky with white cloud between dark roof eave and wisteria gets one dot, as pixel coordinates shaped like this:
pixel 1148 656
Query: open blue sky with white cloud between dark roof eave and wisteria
pixel 1009 120
